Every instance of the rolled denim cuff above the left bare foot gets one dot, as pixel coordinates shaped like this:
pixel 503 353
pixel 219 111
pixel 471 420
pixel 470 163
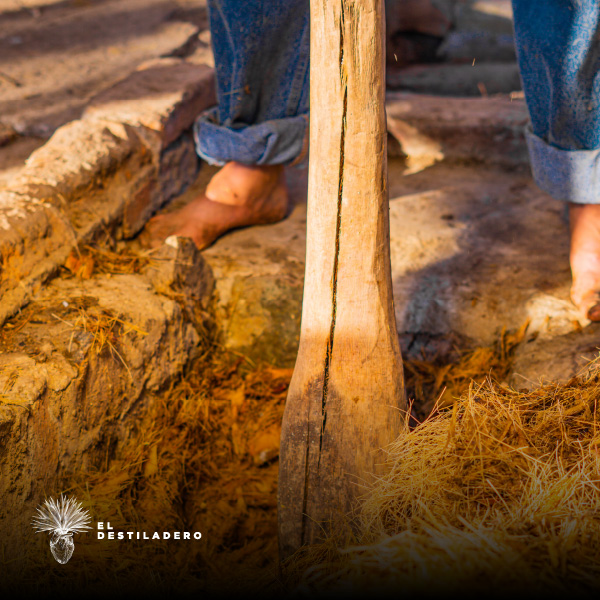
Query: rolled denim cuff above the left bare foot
pixel 275 142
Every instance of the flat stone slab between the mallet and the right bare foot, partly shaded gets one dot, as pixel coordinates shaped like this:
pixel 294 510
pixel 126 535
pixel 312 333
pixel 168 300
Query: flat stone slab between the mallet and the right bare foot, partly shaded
pixel 477 249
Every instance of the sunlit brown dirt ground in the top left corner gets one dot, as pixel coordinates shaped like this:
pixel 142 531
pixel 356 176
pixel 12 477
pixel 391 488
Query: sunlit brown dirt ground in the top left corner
pixel 56 54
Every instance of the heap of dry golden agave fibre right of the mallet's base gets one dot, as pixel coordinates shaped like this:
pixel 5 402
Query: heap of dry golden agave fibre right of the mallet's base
pixel 502 491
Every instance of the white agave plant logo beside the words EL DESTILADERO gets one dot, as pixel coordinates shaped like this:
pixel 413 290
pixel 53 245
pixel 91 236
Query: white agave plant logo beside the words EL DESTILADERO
pixel 61 518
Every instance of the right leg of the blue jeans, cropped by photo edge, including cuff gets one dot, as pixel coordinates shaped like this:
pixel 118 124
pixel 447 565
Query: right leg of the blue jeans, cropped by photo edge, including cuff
pixel 558 47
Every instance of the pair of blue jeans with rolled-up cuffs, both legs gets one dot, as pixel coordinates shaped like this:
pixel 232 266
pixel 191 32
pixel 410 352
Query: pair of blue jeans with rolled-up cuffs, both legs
pixel 261 52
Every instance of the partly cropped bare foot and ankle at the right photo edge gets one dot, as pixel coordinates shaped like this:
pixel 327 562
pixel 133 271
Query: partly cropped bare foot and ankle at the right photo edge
pixel 584 222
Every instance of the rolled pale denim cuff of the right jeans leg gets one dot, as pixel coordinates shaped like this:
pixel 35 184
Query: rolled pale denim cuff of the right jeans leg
pixel 570 175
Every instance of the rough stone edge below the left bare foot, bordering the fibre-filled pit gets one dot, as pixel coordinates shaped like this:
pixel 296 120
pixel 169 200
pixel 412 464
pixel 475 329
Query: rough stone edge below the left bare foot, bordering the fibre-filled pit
pixel 61 414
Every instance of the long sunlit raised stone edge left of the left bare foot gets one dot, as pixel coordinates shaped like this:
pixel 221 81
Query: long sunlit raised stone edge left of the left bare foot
pixel 37 225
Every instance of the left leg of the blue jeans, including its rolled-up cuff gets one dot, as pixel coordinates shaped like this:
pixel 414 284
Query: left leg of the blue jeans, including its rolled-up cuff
pixel 261 50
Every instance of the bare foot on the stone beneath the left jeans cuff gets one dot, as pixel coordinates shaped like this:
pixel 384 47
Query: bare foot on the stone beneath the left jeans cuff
pixel 237 196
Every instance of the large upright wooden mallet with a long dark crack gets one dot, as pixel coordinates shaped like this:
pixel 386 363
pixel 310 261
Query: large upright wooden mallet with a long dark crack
pixel 346 400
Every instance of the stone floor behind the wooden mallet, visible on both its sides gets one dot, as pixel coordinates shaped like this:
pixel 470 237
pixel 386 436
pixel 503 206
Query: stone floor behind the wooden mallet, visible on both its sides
pixel 474 250
